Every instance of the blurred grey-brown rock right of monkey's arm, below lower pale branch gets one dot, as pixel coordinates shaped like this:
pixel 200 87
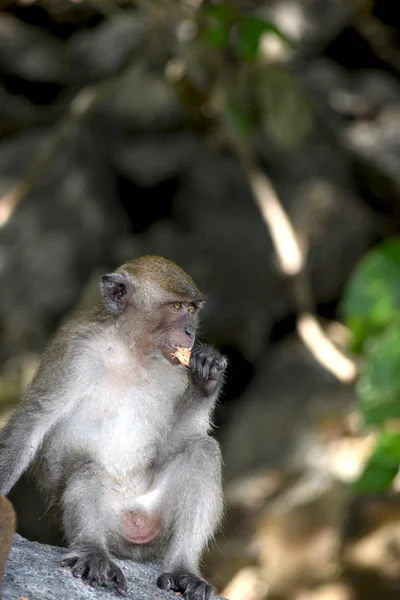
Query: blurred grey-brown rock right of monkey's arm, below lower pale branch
pixel 287 415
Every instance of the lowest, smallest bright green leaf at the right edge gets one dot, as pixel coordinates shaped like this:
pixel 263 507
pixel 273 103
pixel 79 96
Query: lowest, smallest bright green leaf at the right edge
pixel 382 466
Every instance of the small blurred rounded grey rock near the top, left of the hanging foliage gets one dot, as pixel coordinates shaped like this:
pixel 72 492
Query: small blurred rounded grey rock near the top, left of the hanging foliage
pixel 99 52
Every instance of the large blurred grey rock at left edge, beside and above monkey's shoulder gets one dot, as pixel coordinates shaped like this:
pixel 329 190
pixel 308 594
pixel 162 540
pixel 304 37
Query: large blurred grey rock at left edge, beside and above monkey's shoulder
pixel 54 238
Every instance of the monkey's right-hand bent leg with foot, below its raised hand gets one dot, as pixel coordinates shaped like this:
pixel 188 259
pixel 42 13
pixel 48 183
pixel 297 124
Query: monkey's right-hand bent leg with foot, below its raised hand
pixel 193 510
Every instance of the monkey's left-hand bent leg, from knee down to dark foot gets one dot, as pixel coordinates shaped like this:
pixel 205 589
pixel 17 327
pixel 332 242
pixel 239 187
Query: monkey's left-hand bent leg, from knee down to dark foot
pixel 86 512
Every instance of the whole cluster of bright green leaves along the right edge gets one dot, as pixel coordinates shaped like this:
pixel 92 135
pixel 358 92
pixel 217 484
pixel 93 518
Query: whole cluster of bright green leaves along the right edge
pixel 371 307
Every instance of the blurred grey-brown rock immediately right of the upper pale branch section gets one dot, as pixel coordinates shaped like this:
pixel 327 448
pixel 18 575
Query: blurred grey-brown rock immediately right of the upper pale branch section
pixel 334 226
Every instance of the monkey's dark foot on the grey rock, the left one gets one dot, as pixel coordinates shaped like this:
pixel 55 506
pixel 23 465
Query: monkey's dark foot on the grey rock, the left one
pixel 97 569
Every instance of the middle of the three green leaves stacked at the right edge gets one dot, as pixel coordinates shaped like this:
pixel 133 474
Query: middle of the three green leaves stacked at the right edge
pixel 378 387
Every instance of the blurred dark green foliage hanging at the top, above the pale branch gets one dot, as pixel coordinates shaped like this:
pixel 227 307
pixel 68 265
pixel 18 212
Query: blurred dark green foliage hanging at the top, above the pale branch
pixel 236 87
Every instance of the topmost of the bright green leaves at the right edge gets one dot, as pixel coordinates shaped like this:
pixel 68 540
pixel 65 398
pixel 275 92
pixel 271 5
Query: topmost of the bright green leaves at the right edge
pixel 372 298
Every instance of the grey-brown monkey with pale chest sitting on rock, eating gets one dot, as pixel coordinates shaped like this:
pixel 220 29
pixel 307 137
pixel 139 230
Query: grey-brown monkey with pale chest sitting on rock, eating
pixel 120 432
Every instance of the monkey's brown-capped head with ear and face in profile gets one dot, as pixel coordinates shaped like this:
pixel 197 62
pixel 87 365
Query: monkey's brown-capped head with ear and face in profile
pixel 155 298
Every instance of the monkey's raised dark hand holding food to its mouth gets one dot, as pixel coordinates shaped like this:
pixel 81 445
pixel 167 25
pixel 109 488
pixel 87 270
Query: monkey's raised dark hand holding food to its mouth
pixel 207 366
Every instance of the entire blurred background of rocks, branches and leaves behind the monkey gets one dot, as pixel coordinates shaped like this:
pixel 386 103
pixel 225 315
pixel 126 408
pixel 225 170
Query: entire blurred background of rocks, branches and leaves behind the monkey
pixel 256 144
